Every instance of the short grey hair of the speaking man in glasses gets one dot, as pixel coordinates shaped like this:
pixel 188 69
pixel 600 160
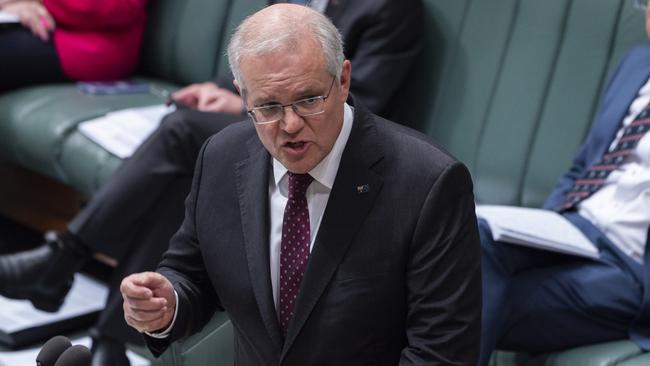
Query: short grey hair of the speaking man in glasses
pixel 259 35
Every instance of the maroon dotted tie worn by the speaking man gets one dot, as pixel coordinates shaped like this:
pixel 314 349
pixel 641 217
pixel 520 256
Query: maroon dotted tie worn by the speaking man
pixel 294 247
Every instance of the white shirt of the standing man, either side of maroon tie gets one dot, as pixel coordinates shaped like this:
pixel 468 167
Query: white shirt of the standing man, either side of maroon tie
pixel 317 195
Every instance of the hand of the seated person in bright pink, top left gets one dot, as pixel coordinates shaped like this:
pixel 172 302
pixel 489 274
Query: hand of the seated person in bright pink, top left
pixel 32 15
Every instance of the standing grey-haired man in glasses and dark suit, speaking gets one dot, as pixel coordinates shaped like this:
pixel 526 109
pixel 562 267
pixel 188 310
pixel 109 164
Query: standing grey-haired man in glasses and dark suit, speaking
pixel 330 235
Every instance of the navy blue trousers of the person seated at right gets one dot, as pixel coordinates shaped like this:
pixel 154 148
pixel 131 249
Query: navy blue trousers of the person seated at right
pixel 539 301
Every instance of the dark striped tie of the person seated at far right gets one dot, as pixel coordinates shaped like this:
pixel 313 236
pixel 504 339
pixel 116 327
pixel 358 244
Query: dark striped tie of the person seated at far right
pixel 595 177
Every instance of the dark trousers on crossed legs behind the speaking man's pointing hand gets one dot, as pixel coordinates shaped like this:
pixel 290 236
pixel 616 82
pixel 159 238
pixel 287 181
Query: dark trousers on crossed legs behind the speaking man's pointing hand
pixel 132 217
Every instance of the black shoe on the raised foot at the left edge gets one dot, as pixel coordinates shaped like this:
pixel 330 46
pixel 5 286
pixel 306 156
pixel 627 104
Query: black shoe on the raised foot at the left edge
pixel 42 275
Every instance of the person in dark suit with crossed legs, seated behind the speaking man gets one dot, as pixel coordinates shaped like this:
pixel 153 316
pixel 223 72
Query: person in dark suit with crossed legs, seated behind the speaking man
pixel 133 216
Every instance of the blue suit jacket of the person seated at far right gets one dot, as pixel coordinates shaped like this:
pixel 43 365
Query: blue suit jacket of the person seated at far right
pixel 622 89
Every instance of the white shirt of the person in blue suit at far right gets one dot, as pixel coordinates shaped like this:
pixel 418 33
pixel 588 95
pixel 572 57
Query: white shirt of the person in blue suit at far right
pixel 621 208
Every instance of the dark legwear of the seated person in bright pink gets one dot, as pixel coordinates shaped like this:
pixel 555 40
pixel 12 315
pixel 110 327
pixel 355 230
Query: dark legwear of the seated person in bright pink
pixel 26 60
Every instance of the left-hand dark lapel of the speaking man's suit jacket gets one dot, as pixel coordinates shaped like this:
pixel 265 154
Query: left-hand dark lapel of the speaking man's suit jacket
pixel 252 177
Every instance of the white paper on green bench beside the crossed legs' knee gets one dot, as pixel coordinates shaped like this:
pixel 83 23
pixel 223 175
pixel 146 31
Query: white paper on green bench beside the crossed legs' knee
pixel 121 132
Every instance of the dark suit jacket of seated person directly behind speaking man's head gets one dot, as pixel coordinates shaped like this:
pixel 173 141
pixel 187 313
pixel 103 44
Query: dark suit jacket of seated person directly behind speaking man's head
pixel 382 39
